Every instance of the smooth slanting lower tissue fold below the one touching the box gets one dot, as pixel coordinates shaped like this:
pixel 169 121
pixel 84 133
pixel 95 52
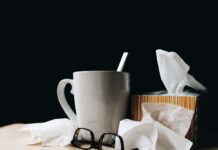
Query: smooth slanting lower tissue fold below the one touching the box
pixel 167 138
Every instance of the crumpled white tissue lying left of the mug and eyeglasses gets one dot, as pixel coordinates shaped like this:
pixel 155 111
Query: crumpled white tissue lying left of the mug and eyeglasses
pixel 57 132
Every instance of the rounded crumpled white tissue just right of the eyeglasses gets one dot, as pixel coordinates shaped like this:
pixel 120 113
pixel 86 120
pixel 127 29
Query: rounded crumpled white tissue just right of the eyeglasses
pixel 136 134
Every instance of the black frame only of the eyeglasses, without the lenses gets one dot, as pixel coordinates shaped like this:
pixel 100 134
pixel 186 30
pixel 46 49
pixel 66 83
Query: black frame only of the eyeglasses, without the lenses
pixel 97 145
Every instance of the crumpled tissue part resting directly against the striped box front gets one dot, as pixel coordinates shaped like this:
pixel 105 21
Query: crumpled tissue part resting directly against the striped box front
pixel 172 116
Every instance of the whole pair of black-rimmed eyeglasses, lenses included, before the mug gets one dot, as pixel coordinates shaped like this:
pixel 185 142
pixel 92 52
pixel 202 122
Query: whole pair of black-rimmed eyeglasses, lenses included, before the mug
pixel 85 139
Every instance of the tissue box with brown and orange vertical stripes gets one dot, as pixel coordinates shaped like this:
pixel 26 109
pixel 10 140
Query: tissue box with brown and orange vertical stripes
pixel 188 100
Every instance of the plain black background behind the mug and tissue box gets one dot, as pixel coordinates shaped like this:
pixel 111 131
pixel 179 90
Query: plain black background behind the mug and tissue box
pixel 40 44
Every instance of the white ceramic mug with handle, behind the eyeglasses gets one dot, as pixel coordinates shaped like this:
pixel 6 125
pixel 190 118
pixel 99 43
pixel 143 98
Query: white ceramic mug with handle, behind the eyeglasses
pixel 100 99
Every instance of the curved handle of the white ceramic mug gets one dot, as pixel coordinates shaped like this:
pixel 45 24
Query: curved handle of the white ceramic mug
pixel 62 99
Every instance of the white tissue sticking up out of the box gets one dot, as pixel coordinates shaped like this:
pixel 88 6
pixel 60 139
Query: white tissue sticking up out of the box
pixel 174 73
